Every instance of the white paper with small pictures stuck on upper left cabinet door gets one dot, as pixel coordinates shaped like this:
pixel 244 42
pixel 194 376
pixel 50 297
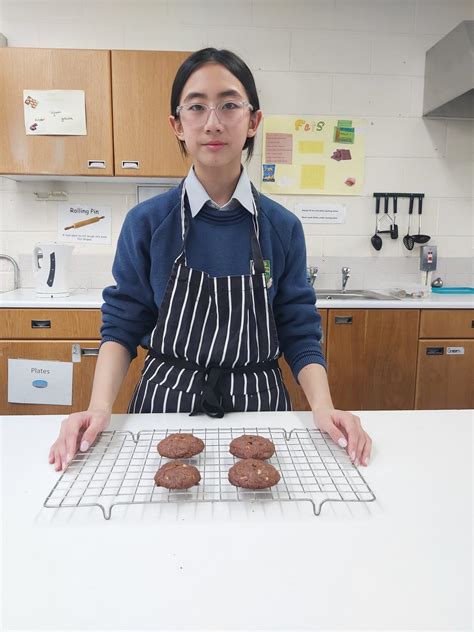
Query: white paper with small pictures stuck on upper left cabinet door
pixel 55 112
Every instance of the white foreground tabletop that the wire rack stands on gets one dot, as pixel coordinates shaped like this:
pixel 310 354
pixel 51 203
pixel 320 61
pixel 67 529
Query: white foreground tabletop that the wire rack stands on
pixel 403 561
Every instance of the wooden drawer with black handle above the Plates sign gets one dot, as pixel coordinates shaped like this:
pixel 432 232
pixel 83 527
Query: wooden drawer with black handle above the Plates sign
pixel 39 324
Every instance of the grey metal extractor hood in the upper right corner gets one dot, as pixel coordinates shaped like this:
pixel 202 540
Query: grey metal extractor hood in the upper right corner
pixel 449 75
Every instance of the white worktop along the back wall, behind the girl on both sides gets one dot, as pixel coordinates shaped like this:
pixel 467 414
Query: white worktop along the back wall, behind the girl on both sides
pixel 92 298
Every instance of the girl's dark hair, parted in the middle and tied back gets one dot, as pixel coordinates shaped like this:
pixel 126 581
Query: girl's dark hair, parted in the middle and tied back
pixel 234 64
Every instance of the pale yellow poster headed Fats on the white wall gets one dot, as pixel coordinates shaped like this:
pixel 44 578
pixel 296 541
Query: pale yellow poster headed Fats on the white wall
pixel 313 155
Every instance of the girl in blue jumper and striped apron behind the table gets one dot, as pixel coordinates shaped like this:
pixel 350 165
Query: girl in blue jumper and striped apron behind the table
pixel 211 278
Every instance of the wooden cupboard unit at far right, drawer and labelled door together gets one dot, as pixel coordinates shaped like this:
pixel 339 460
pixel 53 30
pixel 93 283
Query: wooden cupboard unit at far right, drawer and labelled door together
pixel 445 368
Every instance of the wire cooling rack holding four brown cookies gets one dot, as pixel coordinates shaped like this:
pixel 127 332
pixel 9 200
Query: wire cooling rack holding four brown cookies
pixel 119 469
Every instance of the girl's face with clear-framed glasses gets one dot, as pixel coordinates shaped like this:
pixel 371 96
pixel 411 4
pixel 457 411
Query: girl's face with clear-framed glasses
pixel 211 142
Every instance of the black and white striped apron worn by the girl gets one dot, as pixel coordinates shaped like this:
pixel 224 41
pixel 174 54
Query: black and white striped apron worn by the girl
pixel 214 348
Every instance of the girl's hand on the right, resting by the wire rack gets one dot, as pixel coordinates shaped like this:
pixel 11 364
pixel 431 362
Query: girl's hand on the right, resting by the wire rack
pixel 345 429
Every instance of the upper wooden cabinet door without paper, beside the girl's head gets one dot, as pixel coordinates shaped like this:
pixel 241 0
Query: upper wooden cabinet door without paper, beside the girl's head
pixel 144 142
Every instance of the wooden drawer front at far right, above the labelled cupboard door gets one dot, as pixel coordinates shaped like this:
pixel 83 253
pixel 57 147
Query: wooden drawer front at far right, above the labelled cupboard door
pixel 447 323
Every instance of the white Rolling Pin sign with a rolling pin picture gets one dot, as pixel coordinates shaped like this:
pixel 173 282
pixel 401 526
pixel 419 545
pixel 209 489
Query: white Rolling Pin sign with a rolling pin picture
pixel 84 224
